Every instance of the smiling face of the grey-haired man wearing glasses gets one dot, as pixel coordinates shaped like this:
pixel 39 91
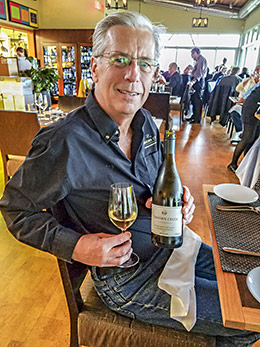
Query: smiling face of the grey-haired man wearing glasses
pixel 121 92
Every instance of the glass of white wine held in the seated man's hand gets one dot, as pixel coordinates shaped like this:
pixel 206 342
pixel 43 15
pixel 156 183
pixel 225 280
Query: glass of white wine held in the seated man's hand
pixel 122 211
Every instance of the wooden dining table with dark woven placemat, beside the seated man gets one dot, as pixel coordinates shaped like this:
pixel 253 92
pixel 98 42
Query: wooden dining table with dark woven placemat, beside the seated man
pixel 240 310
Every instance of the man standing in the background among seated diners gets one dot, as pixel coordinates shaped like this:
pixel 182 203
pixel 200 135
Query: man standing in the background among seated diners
pixel 197 82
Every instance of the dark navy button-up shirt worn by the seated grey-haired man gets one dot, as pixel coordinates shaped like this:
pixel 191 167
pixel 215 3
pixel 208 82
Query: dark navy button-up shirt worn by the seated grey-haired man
pixel 69 171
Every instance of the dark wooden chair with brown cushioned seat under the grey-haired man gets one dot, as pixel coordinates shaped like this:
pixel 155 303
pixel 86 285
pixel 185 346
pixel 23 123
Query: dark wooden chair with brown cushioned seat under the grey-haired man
pixel 92 324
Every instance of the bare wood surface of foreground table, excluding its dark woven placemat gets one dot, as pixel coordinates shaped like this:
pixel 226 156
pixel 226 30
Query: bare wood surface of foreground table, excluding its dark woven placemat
pixel 239 309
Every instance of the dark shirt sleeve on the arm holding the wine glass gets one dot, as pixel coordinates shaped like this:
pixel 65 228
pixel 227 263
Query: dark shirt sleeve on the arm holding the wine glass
pixel 38 185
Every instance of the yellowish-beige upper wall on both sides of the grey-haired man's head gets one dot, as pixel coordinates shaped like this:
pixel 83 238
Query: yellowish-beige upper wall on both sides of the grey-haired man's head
pixel 86 16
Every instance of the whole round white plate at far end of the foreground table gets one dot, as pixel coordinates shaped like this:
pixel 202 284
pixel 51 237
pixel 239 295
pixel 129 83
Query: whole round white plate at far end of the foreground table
pixel 236 193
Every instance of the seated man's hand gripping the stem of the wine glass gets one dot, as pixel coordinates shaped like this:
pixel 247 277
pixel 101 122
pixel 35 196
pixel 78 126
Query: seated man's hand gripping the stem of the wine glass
pixel 103 249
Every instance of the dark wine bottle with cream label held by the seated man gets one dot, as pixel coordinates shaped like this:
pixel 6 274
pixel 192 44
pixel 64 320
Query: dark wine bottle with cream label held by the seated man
pixel 167 219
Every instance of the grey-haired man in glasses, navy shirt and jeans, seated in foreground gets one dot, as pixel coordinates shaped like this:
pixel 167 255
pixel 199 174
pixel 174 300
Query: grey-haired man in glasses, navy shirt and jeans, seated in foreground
pixel 73 163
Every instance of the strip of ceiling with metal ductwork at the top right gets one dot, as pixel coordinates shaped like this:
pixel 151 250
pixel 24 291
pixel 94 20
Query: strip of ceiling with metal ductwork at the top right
pixel 225 8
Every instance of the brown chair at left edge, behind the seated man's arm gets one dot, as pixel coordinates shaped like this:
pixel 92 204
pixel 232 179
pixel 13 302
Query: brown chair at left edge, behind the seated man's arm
pixel 17 129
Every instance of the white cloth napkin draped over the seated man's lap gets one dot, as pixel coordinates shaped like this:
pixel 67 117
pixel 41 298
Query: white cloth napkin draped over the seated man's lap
pixel 178 277
